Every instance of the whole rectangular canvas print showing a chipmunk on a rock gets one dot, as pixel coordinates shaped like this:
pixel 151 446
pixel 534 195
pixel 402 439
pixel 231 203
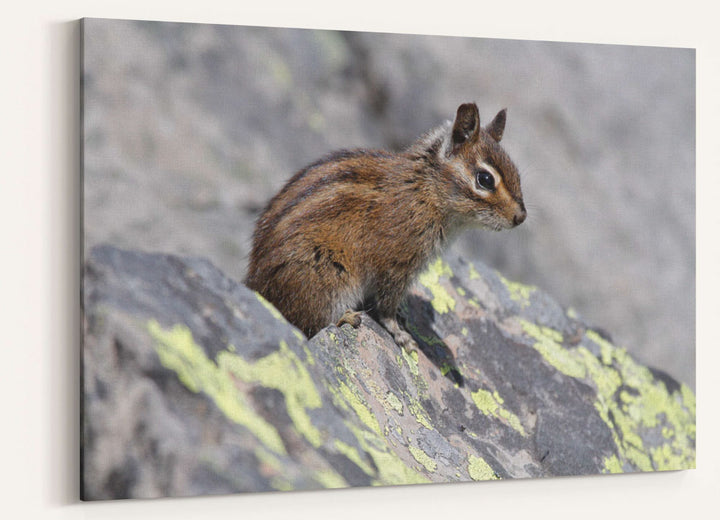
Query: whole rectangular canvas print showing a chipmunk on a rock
pixel 322 259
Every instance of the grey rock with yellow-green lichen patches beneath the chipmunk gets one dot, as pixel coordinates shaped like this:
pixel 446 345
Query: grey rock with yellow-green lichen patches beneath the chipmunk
pixel 193 384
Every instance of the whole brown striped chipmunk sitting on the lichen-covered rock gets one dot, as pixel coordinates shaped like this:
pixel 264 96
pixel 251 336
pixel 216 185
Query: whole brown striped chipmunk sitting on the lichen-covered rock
pixel 358 226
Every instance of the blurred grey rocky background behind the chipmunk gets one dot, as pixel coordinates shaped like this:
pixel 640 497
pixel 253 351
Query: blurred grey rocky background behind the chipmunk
pixel 189 129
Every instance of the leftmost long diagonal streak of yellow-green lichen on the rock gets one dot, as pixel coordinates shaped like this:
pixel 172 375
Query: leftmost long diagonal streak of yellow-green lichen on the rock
pixel 178 352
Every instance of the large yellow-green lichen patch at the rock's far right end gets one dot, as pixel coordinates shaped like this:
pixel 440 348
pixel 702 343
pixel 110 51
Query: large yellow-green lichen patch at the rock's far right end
pixel 629 400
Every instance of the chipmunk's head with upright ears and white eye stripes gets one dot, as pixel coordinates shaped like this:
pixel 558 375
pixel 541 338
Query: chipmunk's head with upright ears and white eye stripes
pixel 486 182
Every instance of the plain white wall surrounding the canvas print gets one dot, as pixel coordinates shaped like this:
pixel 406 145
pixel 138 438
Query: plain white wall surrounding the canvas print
pixel 39 201
